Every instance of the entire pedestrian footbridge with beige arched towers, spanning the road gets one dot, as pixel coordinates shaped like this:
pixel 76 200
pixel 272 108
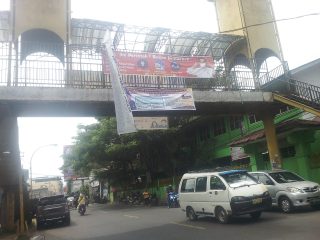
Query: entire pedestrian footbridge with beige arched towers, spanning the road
pixel 57 66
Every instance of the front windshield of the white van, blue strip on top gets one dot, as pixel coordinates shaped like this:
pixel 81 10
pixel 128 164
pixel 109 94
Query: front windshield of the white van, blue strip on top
pixel 239 179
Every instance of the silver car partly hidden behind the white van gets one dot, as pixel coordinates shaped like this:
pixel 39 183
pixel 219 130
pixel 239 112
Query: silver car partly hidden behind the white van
pixel 288 190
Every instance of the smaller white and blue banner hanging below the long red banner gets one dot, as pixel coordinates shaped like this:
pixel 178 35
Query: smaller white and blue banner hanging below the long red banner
pixel 155 99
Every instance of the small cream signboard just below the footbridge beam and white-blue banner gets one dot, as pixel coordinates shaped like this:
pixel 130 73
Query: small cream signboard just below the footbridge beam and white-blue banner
pixel 151 123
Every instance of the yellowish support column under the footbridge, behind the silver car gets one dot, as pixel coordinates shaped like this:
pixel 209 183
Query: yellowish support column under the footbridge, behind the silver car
pixel 272 141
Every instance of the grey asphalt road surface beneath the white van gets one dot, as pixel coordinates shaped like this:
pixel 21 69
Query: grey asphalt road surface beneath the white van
pixel 161 223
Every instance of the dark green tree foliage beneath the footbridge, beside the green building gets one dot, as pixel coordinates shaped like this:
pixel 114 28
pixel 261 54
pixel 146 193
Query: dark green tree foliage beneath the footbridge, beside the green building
pixel 98 149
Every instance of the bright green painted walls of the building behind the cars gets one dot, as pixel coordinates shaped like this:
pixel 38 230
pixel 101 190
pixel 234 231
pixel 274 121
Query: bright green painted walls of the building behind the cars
pixel 305 161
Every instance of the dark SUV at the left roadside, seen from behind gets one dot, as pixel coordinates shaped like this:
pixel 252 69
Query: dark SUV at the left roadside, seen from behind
pixel 52 209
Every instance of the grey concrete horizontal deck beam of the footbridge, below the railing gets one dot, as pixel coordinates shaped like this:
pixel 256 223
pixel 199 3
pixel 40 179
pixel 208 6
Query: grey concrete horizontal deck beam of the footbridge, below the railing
pixel 99 102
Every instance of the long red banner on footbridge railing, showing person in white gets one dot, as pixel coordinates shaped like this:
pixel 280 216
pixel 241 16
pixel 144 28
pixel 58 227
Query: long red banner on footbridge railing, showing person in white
pixel 162 65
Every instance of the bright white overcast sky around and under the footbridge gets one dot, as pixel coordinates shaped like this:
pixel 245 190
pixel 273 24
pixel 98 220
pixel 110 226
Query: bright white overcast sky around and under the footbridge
pixel 299 38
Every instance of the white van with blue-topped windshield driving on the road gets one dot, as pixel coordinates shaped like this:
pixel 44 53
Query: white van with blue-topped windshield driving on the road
pixel 222 195
